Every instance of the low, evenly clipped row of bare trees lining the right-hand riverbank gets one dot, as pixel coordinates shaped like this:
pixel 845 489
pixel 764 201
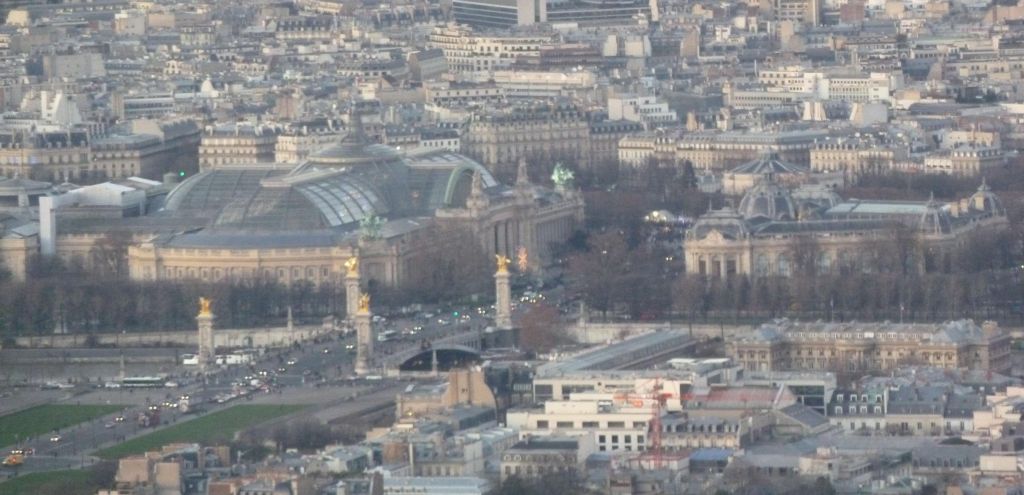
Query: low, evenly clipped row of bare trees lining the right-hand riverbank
pixel 861 296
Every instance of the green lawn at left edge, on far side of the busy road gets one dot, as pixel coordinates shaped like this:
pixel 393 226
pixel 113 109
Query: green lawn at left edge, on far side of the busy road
pixel 44 420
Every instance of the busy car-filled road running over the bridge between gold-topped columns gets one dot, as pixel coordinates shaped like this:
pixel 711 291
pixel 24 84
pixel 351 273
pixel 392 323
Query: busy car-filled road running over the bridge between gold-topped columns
pixel 321 374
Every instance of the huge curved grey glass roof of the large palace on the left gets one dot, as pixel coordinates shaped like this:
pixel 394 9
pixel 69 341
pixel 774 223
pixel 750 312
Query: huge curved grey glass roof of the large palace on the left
pixel 311 198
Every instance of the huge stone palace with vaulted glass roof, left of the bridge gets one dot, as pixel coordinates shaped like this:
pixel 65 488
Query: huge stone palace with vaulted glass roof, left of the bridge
pixel 289 223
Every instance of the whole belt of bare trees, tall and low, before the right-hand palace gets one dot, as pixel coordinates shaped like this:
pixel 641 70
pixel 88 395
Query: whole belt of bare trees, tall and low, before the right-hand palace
pixel 892 277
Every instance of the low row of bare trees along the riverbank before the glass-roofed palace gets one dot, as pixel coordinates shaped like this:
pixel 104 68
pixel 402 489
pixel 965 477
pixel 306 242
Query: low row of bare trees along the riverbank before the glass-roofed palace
pixel 82 304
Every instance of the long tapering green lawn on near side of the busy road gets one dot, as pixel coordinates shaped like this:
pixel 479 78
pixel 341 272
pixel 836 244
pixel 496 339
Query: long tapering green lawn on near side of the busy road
pixel 216 428
